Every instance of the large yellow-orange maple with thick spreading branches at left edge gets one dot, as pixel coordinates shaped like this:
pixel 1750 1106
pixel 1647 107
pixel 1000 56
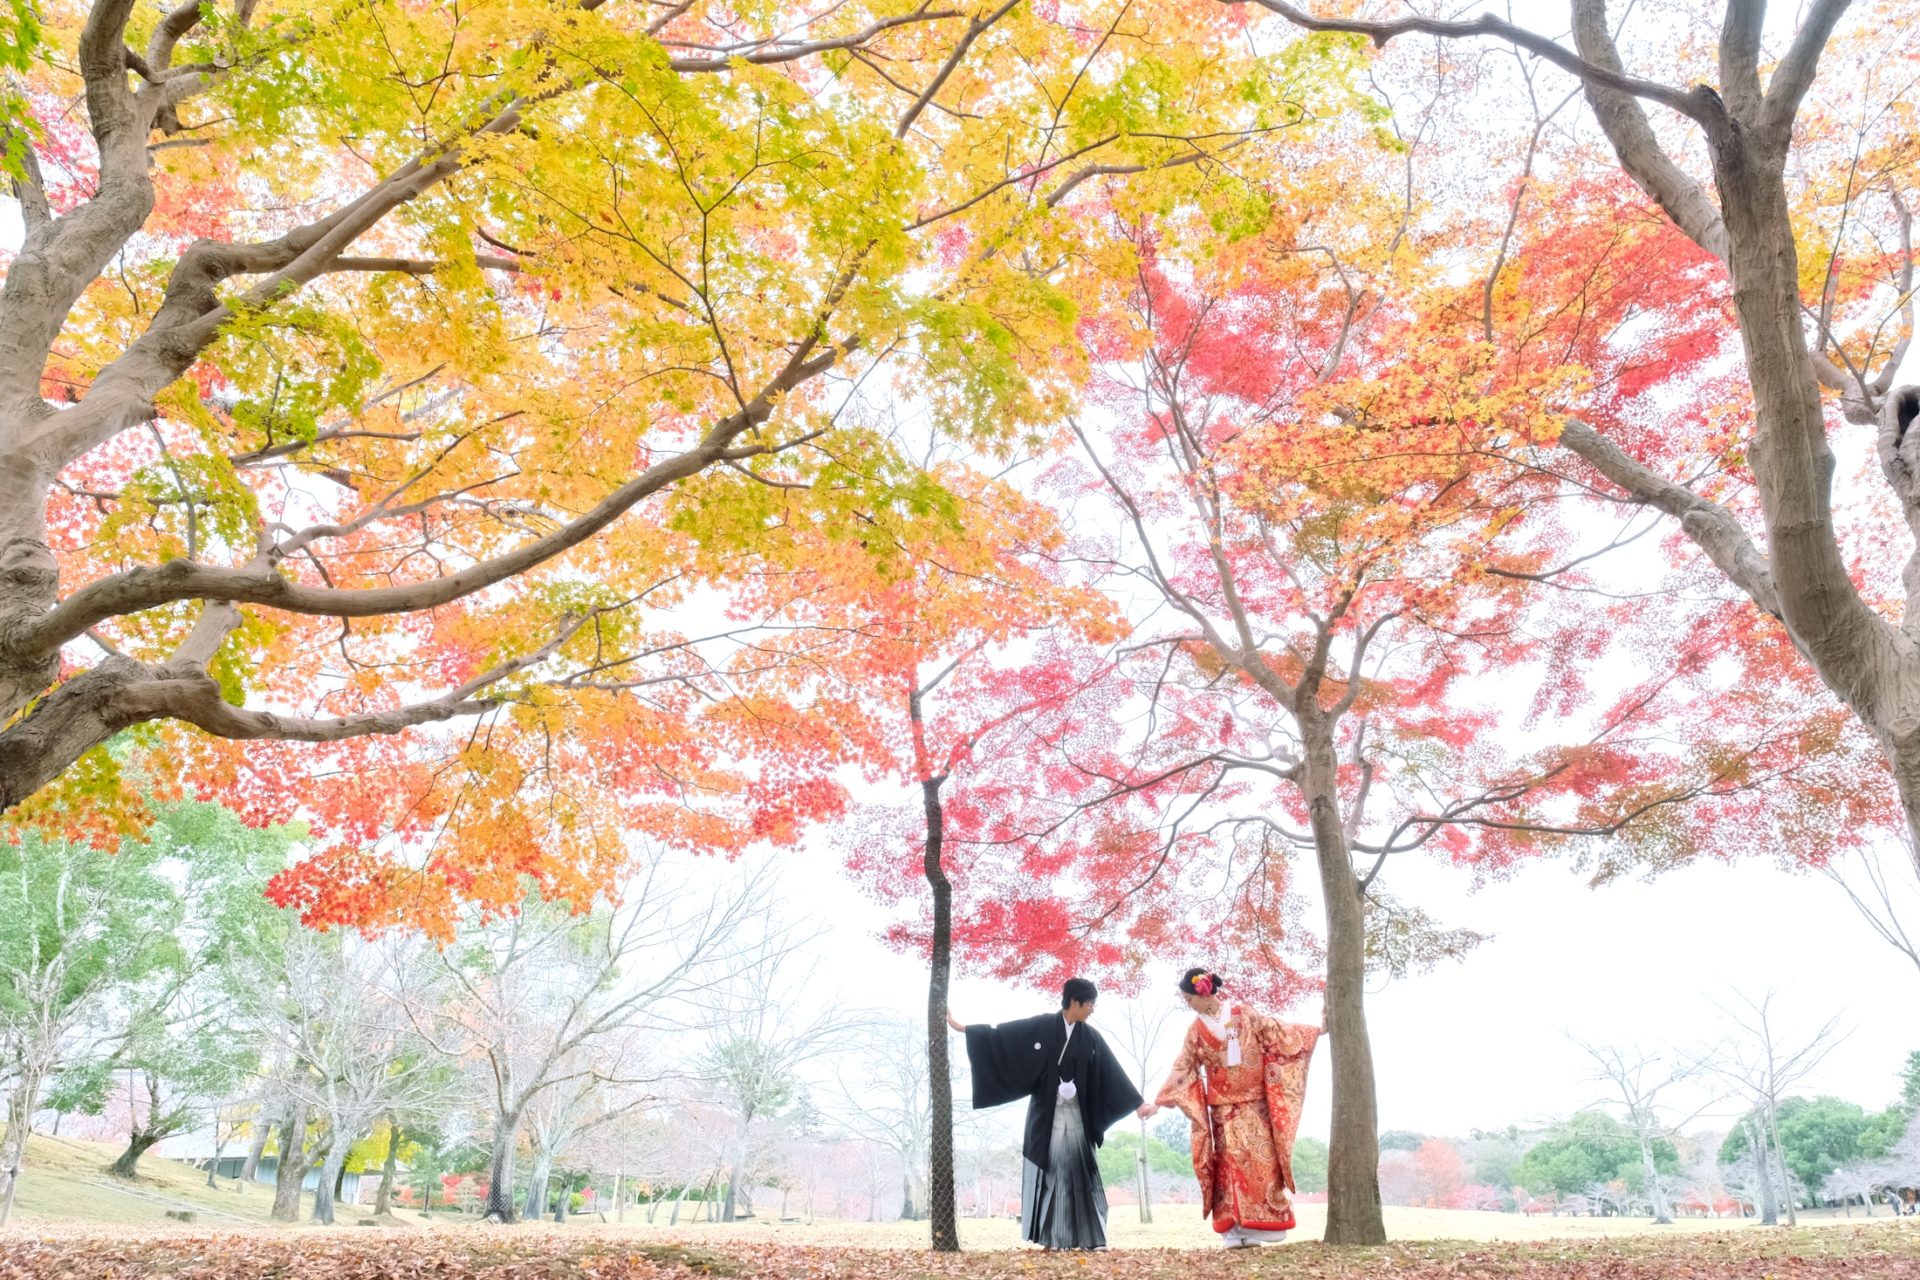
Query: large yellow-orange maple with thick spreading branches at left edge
pixel 375 369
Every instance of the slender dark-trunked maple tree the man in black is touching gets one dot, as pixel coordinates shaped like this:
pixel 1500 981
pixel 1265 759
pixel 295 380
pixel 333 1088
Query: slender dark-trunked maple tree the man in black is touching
pixel 969 667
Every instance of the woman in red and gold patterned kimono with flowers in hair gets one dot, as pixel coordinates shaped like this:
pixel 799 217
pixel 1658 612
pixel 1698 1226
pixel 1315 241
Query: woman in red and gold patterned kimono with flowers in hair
pixel 1241 1079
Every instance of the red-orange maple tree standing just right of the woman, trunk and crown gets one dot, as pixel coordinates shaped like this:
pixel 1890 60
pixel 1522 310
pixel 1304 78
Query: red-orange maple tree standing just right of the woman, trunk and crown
pixel 1308 439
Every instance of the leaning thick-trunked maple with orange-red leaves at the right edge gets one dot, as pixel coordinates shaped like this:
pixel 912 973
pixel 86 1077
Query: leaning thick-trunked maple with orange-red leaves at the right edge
pixel 1802 250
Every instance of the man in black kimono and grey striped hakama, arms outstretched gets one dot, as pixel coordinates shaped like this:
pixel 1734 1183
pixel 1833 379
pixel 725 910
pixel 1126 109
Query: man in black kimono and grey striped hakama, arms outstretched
pixel 1074 1091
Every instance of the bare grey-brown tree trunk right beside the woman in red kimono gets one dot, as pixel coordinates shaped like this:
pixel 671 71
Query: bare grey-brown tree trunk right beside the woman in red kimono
pixel 1355 1150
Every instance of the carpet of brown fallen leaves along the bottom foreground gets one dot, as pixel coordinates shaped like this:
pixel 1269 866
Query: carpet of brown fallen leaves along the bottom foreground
pixel 533 1254
